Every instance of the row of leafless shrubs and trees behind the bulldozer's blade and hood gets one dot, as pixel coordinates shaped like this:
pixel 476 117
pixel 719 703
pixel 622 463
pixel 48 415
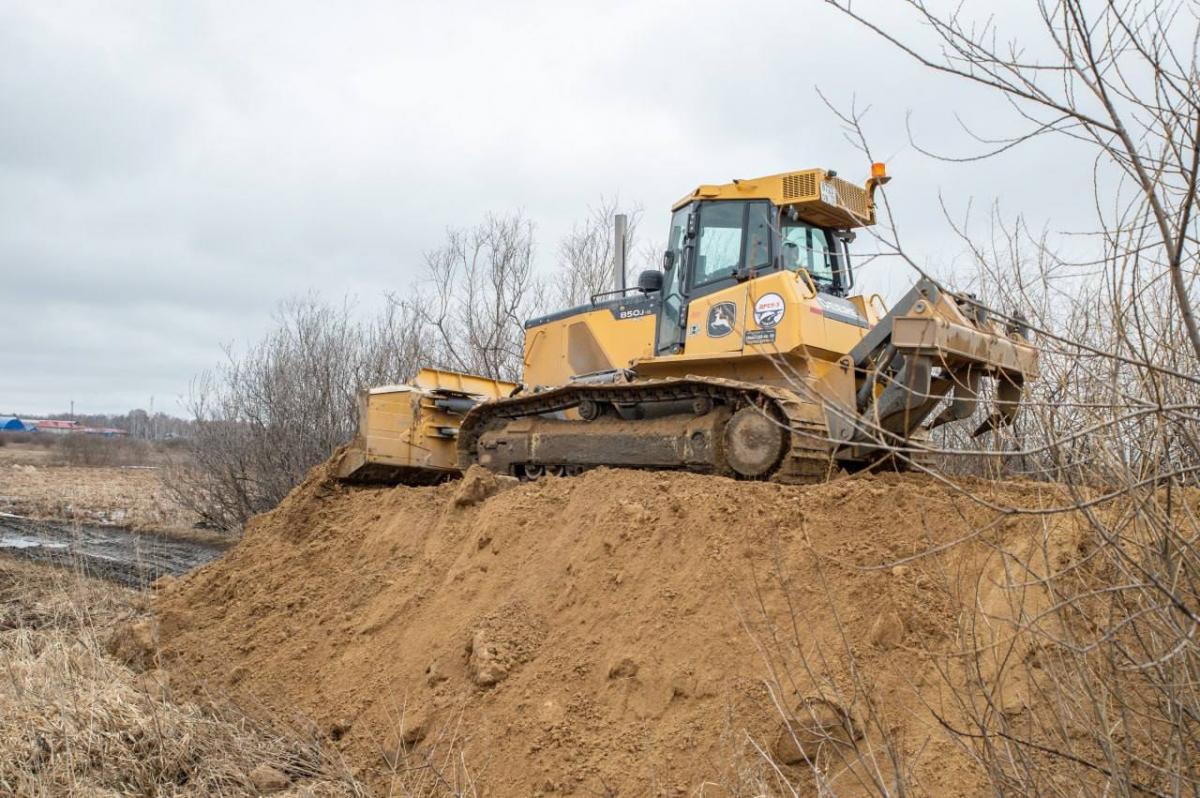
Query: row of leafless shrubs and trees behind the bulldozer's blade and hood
pixel 283 406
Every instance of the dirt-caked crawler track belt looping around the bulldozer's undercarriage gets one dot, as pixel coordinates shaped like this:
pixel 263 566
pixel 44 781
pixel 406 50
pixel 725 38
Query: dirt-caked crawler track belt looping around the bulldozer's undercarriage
pixel 807 461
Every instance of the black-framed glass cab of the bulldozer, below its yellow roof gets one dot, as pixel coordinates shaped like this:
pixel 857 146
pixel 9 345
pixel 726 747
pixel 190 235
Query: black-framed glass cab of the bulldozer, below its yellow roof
pixel 717 244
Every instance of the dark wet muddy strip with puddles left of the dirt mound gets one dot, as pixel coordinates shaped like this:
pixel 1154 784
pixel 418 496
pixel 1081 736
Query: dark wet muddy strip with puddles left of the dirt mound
pixel 107 553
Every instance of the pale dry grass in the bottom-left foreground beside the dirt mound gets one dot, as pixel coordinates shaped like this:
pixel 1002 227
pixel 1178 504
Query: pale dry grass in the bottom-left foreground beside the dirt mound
pixel 74 721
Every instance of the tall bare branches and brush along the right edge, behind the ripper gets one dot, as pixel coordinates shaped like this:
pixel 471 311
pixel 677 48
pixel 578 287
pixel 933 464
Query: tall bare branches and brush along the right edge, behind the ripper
pixel 1101 614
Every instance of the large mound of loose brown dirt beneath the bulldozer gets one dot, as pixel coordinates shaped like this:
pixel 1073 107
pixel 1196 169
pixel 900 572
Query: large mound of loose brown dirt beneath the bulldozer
pixel 619 633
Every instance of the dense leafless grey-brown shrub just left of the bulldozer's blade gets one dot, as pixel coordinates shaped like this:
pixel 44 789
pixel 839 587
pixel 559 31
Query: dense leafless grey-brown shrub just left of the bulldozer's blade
pixel 283 406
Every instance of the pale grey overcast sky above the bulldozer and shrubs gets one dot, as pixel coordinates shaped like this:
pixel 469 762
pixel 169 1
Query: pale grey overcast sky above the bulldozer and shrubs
pixel 171 172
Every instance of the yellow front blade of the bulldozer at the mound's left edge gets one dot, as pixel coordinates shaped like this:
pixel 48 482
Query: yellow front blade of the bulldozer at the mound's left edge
pixel 407 434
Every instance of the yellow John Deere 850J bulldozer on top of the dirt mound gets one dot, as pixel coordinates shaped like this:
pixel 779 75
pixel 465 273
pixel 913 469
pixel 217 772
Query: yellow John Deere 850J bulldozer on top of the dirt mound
pixel 748 355
